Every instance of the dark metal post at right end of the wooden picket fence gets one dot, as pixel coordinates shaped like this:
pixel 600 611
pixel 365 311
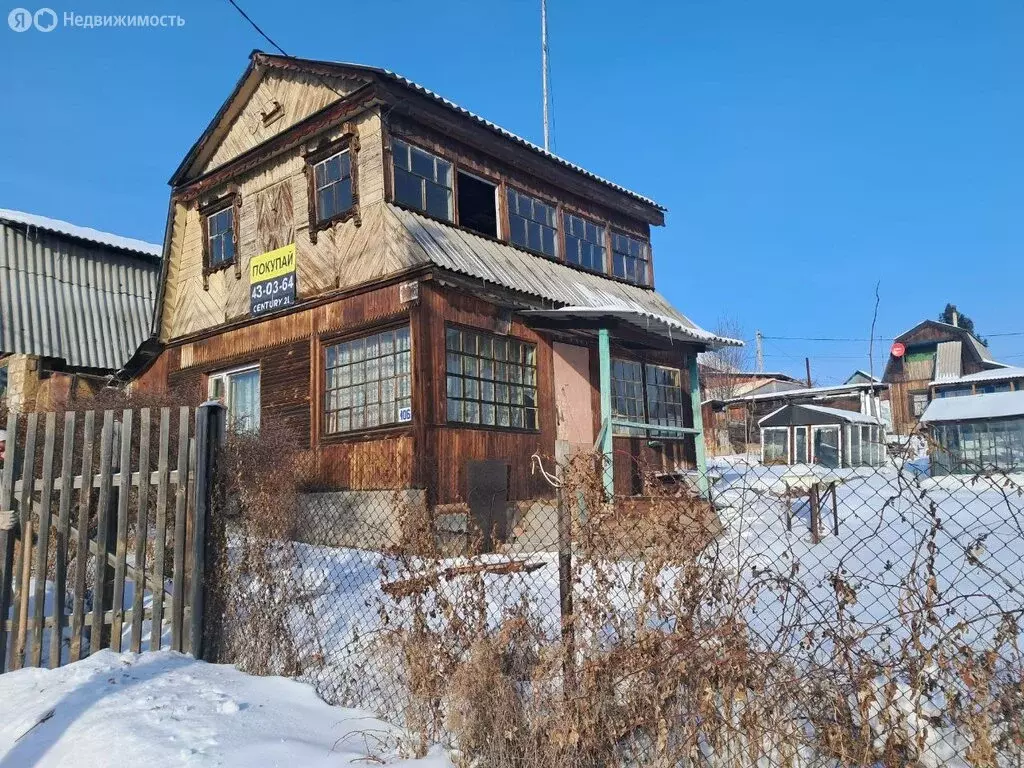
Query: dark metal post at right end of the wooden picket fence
pixel 210 434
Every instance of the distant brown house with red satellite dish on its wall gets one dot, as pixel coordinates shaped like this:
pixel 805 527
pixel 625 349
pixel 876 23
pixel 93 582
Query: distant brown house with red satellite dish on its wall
pixel 930 352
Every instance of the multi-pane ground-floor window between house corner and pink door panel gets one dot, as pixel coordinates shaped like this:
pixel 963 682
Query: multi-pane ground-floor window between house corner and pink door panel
pixel 492 380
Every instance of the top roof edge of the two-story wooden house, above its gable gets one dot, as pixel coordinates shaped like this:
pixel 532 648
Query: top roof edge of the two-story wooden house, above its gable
pixel 261 61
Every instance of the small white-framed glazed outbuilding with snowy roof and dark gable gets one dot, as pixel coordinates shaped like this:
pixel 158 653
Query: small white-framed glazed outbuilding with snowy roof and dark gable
pixel 824 436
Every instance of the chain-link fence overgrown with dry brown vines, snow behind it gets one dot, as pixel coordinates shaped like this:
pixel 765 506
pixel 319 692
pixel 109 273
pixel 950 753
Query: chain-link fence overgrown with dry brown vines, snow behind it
pixel 772 616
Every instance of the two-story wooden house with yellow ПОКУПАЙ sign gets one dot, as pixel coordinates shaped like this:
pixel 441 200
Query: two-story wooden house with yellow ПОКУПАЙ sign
pixel 412 289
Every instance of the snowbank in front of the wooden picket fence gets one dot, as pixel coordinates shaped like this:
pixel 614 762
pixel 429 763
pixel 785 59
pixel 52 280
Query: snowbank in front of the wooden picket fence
pixel 163 709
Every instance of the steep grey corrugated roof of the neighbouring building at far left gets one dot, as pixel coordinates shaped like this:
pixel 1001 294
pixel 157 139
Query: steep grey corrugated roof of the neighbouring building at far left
pixel 89 305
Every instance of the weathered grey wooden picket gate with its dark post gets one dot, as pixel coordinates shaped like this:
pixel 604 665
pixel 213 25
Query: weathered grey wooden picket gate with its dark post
pixel 105 551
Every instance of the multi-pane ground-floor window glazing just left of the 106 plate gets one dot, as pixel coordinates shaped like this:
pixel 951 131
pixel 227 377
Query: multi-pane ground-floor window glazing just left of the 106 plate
pixel 368 382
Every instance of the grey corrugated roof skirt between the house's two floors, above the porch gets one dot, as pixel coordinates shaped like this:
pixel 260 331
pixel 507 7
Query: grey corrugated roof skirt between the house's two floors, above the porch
pixel 464 252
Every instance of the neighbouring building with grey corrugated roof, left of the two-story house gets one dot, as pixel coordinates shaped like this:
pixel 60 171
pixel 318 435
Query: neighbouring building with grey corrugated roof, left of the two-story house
pixel 75 305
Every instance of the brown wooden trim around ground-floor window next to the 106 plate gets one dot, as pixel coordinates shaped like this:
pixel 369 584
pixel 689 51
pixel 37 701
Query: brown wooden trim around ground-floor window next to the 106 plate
pixel 319 410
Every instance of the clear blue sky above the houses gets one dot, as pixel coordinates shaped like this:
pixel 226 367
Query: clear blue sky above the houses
pixel 805 150
